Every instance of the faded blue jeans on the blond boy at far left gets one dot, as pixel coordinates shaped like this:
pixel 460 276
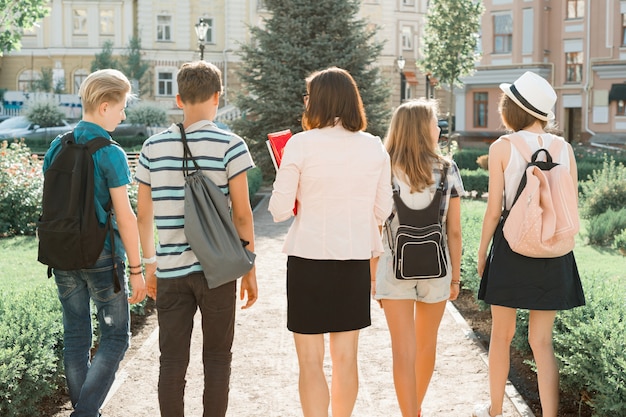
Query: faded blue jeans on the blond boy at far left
pixel 89 380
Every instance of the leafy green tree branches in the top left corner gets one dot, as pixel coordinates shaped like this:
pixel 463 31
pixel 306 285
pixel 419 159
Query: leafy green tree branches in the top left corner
pixel 17 16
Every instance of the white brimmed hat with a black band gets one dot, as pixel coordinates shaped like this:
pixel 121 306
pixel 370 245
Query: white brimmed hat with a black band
pixel 533 94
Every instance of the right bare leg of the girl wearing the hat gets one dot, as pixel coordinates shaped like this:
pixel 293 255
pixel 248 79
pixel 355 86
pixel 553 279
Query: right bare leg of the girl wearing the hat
pixel 540 328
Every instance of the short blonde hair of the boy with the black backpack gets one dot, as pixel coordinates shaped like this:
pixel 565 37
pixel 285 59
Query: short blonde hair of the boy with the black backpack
pixel 107 85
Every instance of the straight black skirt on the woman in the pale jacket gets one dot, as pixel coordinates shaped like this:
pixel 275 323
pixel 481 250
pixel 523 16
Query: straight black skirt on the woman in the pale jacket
pixel 327 295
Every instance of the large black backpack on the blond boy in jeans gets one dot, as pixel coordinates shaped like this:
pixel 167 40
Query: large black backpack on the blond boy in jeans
pixel 70 236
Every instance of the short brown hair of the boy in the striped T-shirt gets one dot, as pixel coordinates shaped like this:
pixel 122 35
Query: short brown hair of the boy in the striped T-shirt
pixel 198 81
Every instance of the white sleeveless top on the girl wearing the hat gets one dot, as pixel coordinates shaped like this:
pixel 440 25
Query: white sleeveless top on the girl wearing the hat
pixel 516 166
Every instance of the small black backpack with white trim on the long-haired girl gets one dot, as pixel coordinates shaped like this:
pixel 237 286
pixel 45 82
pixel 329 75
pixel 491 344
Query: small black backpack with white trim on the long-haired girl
pixel 418 246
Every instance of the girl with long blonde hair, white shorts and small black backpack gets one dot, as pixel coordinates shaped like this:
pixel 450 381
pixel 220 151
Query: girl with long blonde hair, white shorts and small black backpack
pixel 414 308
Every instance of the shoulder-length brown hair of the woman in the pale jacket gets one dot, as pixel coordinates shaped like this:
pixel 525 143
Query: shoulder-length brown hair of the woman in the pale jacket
pixel 333 94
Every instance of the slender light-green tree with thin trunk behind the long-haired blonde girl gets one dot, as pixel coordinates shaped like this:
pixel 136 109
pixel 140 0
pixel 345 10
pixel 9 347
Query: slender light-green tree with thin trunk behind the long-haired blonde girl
pixel 450 43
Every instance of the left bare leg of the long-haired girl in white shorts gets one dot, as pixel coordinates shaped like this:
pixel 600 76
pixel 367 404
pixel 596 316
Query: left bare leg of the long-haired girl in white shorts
pixel 401 323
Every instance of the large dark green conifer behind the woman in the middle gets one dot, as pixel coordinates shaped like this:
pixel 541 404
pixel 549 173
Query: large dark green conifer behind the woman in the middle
pixel 300 37
